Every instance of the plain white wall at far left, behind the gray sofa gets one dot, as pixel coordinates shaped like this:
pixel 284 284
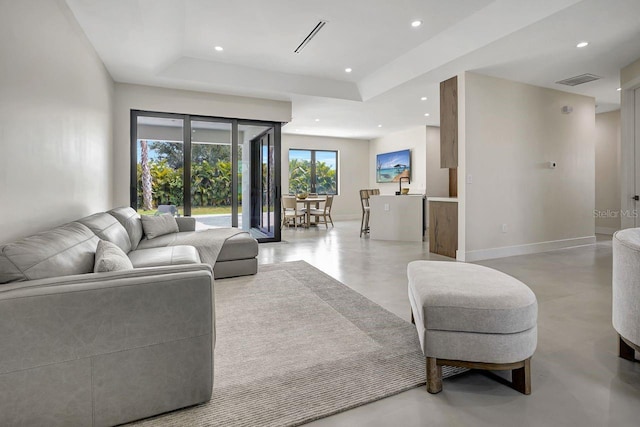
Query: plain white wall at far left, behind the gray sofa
pixel 56 105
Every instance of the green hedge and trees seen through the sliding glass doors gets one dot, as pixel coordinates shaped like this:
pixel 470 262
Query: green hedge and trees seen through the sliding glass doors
pixel 210 175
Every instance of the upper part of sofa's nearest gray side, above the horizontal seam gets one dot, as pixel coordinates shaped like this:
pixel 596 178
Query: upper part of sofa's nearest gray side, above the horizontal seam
pixel 61 319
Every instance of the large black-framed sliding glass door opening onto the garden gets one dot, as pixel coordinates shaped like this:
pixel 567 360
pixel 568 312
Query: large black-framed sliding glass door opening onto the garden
pixel 208 168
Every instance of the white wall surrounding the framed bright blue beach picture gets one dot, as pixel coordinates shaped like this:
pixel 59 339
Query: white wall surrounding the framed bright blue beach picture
pixel 414 139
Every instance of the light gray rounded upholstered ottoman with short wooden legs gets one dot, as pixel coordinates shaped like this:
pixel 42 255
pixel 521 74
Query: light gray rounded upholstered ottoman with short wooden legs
pixel 472 316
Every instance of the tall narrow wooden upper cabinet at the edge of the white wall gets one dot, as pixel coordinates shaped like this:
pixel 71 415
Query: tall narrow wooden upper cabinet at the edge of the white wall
pixel 449 123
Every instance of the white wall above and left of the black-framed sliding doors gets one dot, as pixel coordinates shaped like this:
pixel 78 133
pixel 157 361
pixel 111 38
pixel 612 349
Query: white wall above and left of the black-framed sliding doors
pixel 147 98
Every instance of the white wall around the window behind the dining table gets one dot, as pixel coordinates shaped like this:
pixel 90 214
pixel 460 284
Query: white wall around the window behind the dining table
pixel 353 173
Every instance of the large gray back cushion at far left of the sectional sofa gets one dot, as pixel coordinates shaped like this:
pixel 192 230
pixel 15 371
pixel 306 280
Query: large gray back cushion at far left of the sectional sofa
pixel 65 250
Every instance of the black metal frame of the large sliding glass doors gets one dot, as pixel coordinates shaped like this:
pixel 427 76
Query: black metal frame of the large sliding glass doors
pixel 186 128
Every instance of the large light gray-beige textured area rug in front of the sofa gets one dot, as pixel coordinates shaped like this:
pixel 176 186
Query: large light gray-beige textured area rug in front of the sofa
pixel 294 345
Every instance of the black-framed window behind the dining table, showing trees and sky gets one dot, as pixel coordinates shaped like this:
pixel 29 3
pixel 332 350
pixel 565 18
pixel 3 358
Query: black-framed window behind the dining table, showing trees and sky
pixel 314 171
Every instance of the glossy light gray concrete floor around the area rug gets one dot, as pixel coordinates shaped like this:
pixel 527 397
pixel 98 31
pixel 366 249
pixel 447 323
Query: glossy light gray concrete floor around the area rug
pixel 577 378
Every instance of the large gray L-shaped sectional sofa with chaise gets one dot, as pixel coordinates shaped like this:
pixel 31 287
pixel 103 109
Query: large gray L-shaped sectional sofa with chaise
pixel 99 349
